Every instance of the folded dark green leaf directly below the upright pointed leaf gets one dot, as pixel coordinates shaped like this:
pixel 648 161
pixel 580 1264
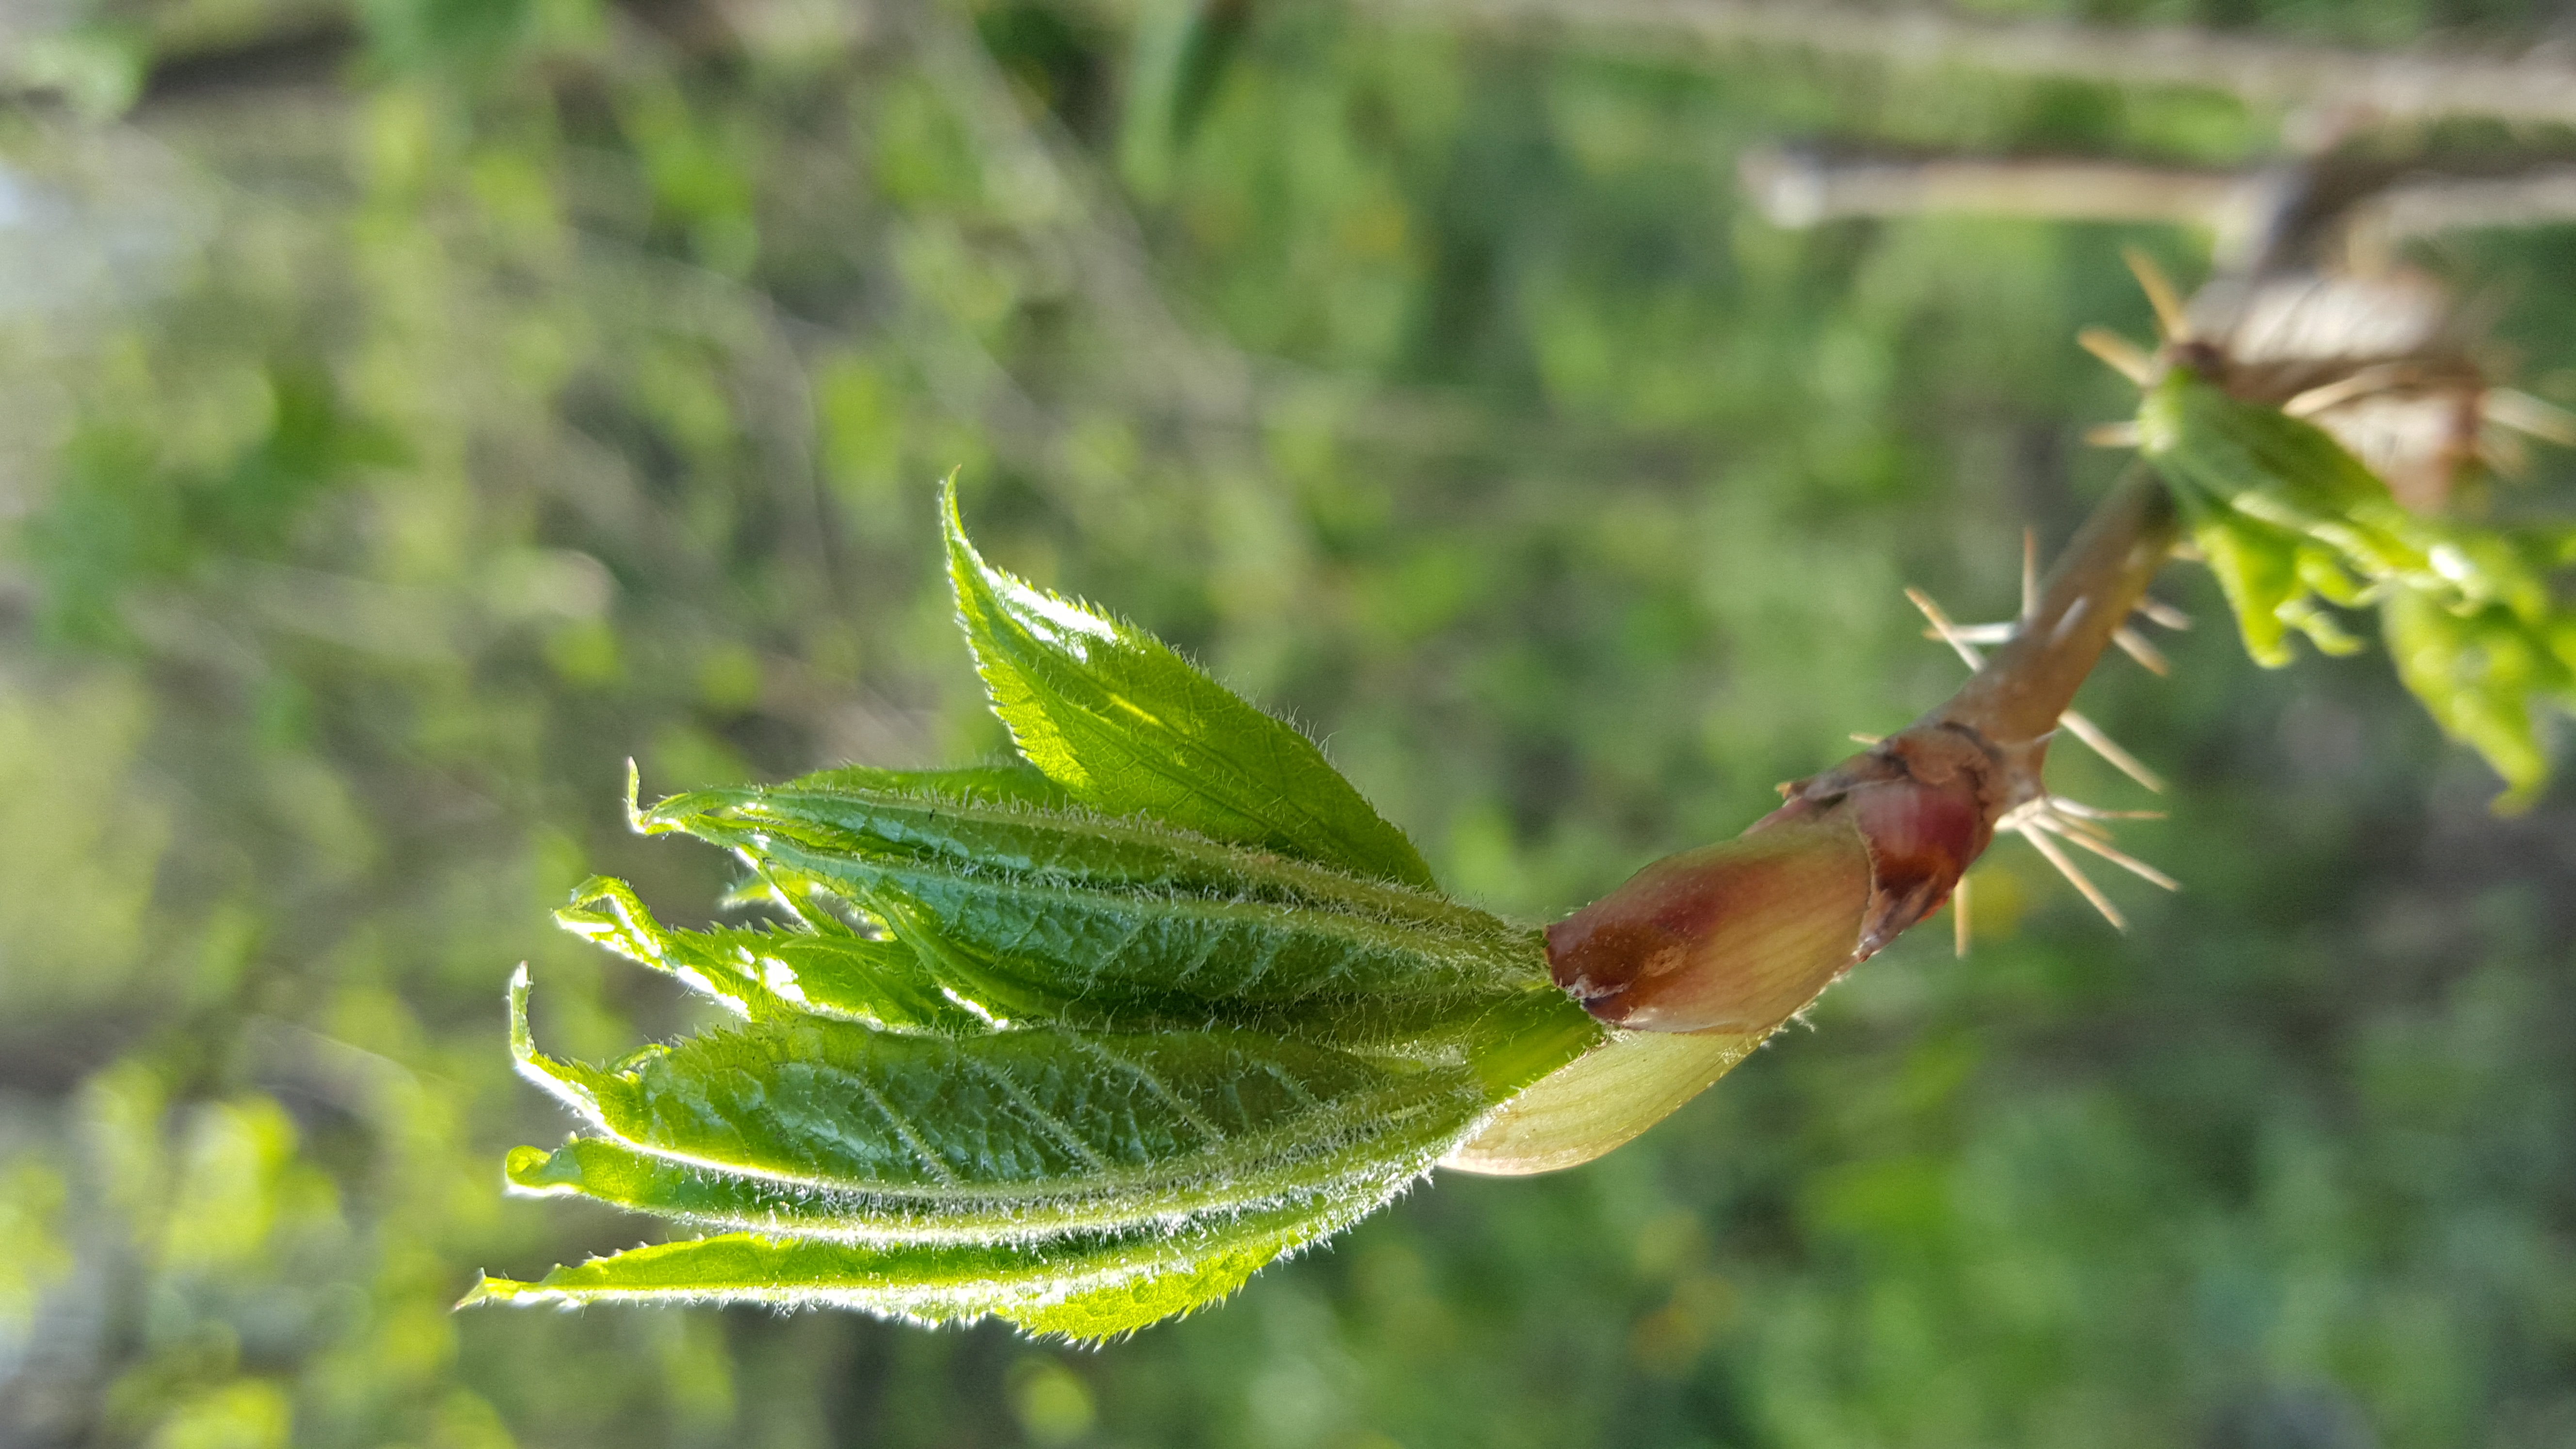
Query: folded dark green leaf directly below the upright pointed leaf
pixel 1112 922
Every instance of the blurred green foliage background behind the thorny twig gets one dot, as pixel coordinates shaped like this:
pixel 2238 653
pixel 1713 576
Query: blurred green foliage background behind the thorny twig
pixel 413 409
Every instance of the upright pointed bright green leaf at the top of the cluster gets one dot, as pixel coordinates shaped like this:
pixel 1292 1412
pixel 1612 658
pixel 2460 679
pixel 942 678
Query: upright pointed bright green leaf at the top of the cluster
pixel 1132 728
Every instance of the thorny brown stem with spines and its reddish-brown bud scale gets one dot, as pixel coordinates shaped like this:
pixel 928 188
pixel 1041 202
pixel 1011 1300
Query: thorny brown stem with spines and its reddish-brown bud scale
pixel 1738 937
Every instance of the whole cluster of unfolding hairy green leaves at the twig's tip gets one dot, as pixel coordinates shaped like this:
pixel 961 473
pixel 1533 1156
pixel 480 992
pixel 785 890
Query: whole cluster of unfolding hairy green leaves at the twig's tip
pixel 1078 1040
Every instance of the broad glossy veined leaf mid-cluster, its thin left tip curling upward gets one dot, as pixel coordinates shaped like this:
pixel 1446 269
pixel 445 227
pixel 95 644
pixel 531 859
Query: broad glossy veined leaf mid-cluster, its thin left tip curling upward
pixel 1021 1131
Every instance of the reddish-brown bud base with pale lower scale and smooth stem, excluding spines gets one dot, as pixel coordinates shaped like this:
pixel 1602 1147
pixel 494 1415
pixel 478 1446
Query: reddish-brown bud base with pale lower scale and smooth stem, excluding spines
pixel 1709 953
